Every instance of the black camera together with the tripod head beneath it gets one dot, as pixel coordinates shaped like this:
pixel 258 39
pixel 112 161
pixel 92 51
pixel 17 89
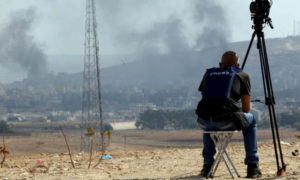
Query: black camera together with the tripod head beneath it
pixel 260 10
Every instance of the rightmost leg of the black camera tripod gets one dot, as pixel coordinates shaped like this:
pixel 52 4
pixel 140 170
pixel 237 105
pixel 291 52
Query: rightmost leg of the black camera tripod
pixel 273 102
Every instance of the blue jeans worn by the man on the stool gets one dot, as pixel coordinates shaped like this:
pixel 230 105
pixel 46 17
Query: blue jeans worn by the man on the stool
pixel 249 133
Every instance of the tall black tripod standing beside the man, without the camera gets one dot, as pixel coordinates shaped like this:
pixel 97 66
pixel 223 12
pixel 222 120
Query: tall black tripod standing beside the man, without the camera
pixel 268 88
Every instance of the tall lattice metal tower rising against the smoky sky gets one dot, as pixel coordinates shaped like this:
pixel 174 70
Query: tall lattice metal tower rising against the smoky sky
pixel 91 92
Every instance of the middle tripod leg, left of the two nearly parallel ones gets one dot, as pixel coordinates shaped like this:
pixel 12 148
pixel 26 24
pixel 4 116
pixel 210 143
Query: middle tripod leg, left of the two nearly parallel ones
pixel 266 84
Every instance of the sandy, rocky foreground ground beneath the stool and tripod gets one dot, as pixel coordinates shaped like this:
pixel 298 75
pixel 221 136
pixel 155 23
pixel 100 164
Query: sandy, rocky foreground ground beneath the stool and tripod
pixel 167 163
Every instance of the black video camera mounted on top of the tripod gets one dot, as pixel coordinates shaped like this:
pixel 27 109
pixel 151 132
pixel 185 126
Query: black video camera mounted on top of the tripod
pixel 260 8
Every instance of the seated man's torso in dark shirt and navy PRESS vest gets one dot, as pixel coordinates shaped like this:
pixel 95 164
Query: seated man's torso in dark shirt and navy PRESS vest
pixel 214 107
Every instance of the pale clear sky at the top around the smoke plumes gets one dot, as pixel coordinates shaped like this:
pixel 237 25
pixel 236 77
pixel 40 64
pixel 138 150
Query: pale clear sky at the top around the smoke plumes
pixel 59 25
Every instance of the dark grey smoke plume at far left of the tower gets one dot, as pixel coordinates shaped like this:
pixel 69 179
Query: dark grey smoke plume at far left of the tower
pixel 19 48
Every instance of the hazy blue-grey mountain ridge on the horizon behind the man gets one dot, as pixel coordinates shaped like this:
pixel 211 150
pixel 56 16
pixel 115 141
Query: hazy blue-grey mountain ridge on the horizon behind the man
pixel 185 69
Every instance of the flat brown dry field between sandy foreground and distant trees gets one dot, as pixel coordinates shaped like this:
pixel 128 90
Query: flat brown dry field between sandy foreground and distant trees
pixel 135 140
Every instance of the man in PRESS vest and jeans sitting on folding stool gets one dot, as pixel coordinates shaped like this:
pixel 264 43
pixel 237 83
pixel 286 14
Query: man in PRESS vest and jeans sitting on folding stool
pixel 218 109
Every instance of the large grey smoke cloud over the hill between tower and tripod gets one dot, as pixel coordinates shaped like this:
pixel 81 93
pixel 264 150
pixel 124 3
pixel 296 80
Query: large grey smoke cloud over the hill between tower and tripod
pixel 173 49
